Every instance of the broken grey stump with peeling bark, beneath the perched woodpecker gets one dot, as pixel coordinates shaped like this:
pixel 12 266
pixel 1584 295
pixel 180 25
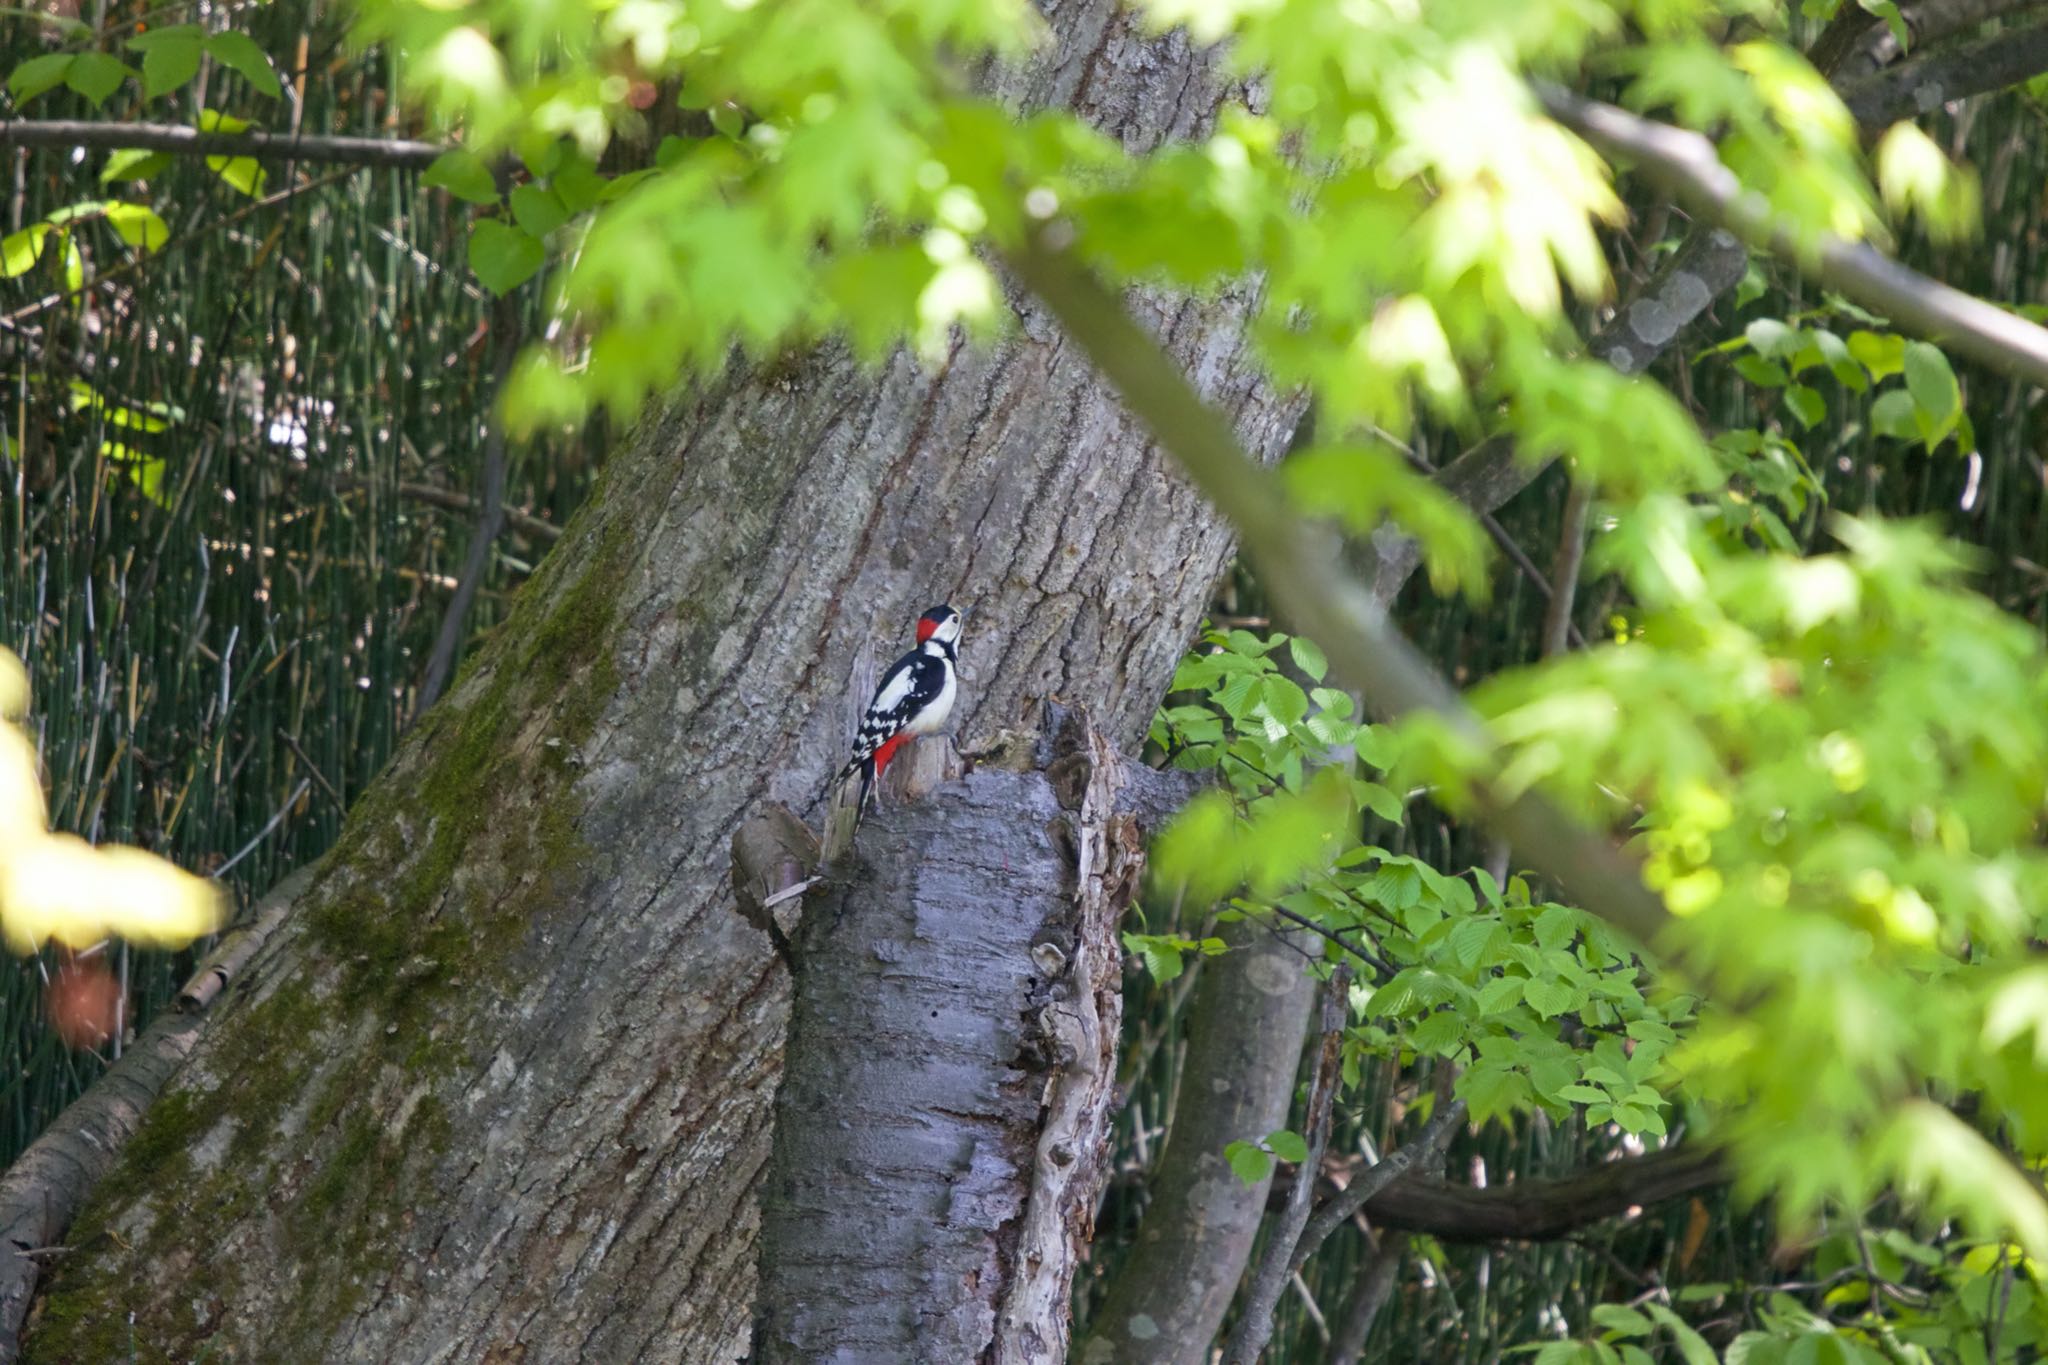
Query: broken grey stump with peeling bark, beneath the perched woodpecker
pixel 945 1108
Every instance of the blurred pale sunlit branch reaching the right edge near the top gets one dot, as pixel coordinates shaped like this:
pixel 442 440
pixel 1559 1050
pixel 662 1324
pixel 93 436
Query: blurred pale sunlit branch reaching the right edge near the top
pixel 1691 171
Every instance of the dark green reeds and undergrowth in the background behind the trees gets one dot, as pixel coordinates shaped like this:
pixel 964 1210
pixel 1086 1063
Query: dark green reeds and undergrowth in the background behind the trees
pixel 245 464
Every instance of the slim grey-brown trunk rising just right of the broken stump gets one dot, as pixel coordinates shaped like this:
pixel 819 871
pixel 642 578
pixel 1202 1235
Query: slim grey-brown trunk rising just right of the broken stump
pixel 1244 1039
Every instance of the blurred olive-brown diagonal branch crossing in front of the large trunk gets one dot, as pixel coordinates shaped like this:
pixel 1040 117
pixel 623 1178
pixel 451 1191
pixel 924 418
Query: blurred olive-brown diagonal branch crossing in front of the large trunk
pixel 1306 572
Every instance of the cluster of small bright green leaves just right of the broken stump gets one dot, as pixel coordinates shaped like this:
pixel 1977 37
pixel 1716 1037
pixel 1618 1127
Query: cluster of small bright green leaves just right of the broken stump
pixel 1537 1006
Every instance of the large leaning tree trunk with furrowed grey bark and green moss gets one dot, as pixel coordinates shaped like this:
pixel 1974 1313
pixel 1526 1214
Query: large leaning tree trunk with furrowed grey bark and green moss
pixel 501 1088
